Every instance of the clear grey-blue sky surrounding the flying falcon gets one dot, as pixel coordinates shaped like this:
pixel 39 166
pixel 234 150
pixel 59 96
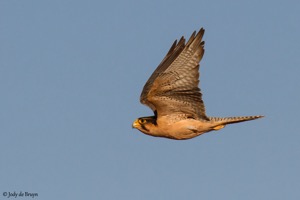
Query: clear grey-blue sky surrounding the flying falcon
pixel 71 73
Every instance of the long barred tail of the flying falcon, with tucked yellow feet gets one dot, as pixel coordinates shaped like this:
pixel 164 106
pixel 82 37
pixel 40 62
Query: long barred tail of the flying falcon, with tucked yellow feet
pixel 222 121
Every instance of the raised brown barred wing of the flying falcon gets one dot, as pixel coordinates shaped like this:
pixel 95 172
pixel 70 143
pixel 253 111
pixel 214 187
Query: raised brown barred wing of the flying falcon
pixel 173 89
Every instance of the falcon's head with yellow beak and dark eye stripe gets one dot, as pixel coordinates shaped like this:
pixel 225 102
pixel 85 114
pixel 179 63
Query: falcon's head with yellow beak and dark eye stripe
pixel 145 124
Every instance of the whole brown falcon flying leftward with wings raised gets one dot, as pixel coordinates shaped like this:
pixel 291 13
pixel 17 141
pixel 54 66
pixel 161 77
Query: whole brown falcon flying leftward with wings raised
pixel 173 94
